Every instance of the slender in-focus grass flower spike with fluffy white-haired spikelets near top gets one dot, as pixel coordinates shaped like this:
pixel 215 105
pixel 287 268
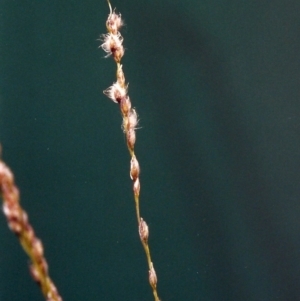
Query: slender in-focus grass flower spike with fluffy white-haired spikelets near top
pixel 113 46
